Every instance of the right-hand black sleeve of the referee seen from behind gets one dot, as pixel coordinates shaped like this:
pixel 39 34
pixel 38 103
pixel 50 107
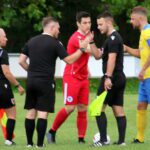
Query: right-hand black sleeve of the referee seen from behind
pixel 61 52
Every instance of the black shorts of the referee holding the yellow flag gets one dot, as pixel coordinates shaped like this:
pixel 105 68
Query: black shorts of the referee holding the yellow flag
pixel 115 96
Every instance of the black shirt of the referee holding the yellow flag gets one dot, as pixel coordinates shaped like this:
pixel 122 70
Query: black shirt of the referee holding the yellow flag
pixel 113 44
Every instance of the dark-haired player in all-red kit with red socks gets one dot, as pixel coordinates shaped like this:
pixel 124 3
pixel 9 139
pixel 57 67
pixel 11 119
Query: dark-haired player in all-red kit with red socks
pixel 75 80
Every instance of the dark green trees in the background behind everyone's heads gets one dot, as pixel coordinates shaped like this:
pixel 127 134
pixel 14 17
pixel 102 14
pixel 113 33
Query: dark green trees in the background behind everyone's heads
pixel 22 19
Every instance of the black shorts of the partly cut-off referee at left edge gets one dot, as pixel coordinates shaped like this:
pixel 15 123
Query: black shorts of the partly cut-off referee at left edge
pixel 6 95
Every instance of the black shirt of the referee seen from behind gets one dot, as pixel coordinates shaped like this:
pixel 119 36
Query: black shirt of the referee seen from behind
pixel 43 51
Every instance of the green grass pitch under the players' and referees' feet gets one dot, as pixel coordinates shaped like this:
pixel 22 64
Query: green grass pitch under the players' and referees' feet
pixel 67 134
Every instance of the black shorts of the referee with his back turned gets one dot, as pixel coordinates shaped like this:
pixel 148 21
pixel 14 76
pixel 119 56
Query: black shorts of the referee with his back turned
pixel 40 94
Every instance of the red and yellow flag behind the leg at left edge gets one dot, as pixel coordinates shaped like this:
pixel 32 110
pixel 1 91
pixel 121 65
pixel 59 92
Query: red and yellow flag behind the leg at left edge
pixel 3 122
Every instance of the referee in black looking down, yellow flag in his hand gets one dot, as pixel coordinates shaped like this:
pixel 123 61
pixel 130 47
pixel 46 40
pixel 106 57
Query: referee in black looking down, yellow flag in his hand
pixel 113 80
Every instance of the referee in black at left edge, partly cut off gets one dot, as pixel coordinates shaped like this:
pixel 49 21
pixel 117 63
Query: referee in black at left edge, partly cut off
pixel 7 100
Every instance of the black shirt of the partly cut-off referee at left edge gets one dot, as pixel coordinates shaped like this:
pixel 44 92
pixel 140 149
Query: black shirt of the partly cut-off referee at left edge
pixel 3 61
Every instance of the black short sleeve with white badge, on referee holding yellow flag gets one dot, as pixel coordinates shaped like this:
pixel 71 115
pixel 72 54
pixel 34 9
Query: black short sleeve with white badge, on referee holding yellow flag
pixel 113 44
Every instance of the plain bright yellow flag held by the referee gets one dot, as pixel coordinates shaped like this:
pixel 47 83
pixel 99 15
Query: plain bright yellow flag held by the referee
pixel 96 106
